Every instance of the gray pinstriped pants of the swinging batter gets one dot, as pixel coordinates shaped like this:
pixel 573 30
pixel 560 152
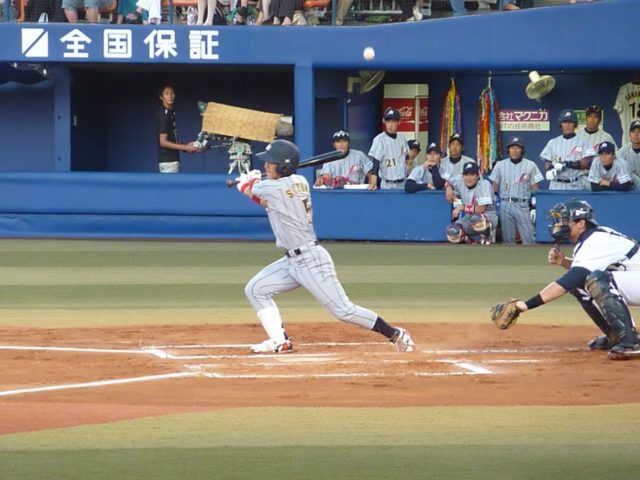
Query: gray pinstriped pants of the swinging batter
pixel 315 271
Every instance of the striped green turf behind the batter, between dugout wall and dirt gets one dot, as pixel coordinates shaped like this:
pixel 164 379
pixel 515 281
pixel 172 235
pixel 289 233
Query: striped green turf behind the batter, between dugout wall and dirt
pixel 80 283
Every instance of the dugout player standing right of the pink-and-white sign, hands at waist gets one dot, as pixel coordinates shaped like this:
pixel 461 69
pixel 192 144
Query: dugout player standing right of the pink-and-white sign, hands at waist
pixel 567 158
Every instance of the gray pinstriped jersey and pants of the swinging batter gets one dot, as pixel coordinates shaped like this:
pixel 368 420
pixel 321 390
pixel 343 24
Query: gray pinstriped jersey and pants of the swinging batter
pixel 305 263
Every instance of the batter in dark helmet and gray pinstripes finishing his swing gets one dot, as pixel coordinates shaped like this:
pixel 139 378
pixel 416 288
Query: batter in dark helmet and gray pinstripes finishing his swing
pixel 287 200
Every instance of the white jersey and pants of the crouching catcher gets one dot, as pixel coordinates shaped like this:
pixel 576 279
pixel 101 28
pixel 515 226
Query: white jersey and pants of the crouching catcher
pixel 601 247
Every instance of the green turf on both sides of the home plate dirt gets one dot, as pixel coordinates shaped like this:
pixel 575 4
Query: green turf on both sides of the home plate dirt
pixel 77 283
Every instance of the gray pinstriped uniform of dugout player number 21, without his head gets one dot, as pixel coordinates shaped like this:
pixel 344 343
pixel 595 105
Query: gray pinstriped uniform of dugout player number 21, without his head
pixel 391 152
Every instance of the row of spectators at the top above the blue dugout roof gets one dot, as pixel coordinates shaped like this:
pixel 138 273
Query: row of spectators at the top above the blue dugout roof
pixel 251 12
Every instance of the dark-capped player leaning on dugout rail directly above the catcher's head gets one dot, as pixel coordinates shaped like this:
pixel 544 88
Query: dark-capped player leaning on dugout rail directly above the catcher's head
pixel 608 172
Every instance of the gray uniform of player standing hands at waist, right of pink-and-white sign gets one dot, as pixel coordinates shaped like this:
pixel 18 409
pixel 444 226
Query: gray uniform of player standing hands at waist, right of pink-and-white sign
pixel 562 150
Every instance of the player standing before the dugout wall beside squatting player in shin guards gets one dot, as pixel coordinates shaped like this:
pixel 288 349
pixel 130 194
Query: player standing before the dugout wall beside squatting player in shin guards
pixel 514 179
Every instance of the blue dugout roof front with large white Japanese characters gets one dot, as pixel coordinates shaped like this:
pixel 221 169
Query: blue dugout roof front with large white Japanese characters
pixel 597 35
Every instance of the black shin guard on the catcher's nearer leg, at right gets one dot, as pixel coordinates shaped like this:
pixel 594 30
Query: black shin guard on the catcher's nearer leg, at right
pixel 603 289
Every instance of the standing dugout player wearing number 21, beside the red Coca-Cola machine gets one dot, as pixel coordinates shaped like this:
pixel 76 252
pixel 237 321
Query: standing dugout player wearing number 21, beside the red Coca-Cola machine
pixel 388 152
